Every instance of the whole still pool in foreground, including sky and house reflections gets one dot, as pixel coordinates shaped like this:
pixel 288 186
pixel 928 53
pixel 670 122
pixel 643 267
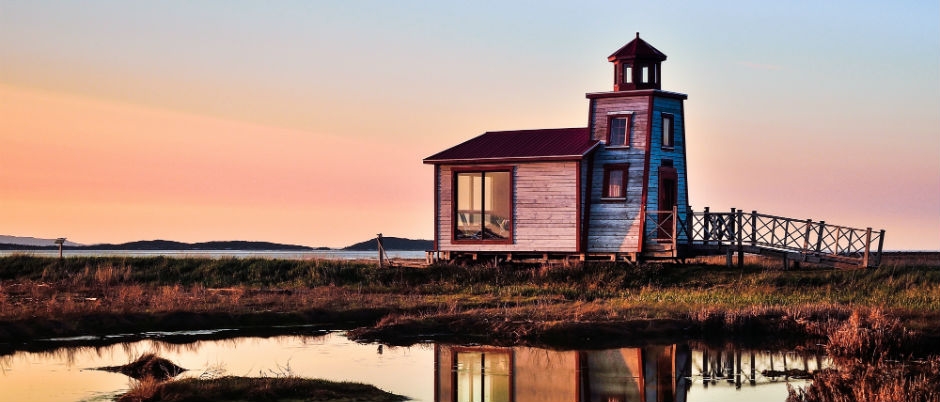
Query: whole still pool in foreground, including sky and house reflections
pixel 423 372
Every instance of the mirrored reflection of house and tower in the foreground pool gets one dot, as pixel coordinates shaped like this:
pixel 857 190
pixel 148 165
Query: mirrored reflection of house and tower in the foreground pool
pixel 520 374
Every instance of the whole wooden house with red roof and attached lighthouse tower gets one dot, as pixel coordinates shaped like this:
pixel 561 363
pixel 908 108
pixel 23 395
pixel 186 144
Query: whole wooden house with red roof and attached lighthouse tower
pixel 613 189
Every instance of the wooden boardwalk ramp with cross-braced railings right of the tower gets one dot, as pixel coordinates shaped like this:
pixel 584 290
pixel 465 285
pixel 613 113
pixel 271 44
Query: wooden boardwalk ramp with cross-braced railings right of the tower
pixel 710 233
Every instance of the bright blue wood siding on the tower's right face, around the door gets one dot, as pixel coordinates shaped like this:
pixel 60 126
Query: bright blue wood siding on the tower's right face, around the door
pixel 676 154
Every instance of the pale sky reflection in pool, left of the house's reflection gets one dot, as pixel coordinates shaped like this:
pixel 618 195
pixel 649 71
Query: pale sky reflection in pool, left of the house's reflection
pixel 62 375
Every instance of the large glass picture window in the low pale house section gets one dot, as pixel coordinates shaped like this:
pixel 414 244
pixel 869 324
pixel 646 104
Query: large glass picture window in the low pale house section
pixel 483 206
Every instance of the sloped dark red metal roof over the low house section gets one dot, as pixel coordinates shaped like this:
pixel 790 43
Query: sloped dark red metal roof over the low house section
pixel 522 145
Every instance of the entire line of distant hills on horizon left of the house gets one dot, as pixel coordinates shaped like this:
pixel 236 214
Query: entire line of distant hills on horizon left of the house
pixel 32 243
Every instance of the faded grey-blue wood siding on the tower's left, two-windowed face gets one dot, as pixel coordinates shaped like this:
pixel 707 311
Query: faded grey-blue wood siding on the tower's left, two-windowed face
pixel 614 225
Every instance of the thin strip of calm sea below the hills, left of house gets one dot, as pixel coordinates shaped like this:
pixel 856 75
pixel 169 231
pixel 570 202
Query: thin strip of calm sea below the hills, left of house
pixel 288 255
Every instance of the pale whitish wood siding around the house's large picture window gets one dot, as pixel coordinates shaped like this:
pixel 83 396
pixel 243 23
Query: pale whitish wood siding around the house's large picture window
pixel 545 210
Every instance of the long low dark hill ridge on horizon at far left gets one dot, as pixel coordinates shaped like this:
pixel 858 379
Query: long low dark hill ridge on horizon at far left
pixel 171 245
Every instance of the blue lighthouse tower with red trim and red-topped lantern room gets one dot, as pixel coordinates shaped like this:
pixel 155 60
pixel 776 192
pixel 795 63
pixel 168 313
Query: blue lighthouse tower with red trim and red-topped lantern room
pixel 641 167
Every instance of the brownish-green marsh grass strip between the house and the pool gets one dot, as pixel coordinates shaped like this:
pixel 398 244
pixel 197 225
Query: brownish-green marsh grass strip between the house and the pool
pixel 536 304
